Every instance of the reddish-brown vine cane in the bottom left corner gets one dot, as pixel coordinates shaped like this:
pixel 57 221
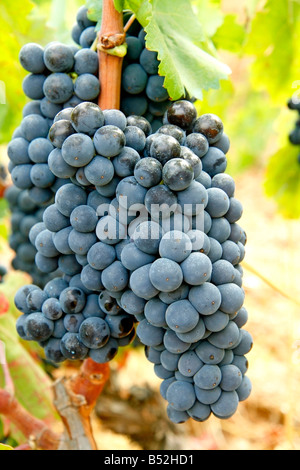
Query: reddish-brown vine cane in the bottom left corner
pixel 35 430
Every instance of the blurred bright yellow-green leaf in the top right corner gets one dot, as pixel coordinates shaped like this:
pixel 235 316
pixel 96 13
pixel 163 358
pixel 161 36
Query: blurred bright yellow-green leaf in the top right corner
pixel 274 43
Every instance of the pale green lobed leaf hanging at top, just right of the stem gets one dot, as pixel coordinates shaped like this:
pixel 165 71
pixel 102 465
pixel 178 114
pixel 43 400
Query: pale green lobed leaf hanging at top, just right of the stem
pixel 183 49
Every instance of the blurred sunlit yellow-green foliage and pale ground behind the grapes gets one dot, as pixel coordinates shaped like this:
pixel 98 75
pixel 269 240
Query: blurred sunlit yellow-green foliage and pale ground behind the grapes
pixel 253 107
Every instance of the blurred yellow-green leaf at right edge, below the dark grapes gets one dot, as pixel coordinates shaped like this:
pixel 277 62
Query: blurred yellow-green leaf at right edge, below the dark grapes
pixel 282 181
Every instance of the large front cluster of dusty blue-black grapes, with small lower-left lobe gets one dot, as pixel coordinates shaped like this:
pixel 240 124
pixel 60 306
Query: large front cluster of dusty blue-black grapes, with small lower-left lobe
pixel 146 231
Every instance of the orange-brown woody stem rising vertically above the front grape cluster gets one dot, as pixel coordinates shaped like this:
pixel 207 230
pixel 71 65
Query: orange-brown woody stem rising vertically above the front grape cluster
pixel 110 70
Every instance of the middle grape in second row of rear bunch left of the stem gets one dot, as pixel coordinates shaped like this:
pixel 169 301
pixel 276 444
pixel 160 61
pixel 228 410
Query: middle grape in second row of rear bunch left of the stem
pixel 58 88
